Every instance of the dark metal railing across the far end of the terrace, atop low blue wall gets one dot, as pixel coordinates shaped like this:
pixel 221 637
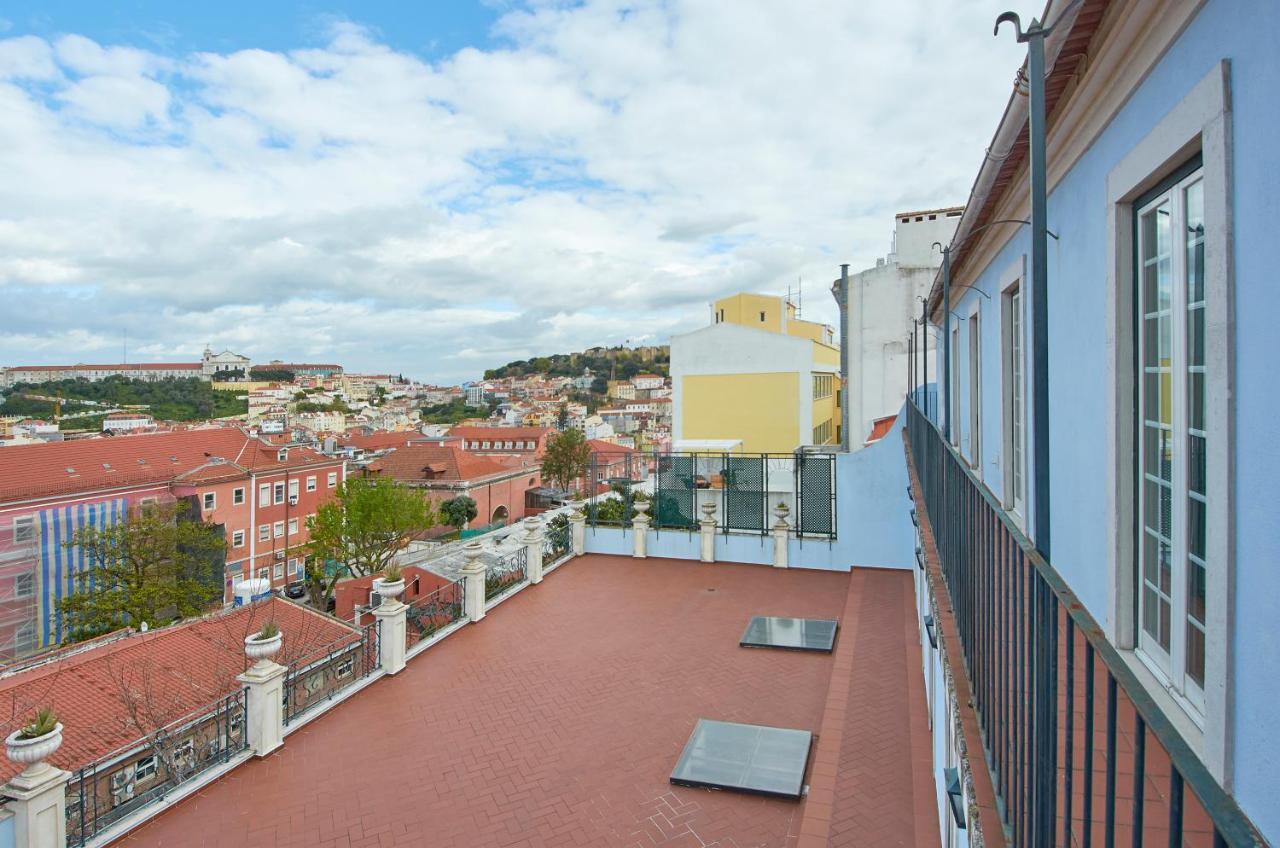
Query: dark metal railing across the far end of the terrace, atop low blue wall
pixel 746 489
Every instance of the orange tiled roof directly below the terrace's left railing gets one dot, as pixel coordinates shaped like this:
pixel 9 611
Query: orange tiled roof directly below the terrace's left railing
pixel 179 672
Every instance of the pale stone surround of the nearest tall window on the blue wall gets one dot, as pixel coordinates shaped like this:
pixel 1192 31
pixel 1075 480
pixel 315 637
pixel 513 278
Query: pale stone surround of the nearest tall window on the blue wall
pixel 1201 121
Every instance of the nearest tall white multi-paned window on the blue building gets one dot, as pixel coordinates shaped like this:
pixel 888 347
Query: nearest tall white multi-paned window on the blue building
pixel 1173 435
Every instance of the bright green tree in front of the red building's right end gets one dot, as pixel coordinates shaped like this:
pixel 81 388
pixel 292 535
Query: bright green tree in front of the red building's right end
pixel 362 531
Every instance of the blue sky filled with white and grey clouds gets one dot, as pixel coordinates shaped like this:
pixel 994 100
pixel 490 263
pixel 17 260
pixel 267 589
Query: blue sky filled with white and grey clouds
pixel 441 192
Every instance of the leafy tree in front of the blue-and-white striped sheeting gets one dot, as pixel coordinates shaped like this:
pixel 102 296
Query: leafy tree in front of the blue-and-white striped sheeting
pixel 152 568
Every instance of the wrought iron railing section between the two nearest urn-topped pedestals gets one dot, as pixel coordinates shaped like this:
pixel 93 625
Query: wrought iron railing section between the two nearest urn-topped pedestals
pixel 145 772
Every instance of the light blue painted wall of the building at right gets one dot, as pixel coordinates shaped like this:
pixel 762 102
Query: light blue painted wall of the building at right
pixel 1246 33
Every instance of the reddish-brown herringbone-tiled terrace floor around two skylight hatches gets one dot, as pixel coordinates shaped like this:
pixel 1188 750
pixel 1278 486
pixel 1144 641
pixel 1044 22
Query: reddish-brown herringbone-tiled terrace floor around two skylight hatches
pixel 557 721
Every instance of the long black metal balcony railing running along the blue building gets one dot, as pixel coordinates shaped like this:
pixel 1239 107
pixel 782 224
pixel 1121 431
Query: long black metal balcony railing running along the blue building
pixel 1078 751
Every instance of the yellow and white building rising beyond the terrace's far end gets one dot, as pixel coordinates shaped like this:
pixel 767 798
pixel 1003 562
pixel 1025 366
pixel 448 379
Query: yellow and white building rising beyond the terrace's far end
pixel 758 379
